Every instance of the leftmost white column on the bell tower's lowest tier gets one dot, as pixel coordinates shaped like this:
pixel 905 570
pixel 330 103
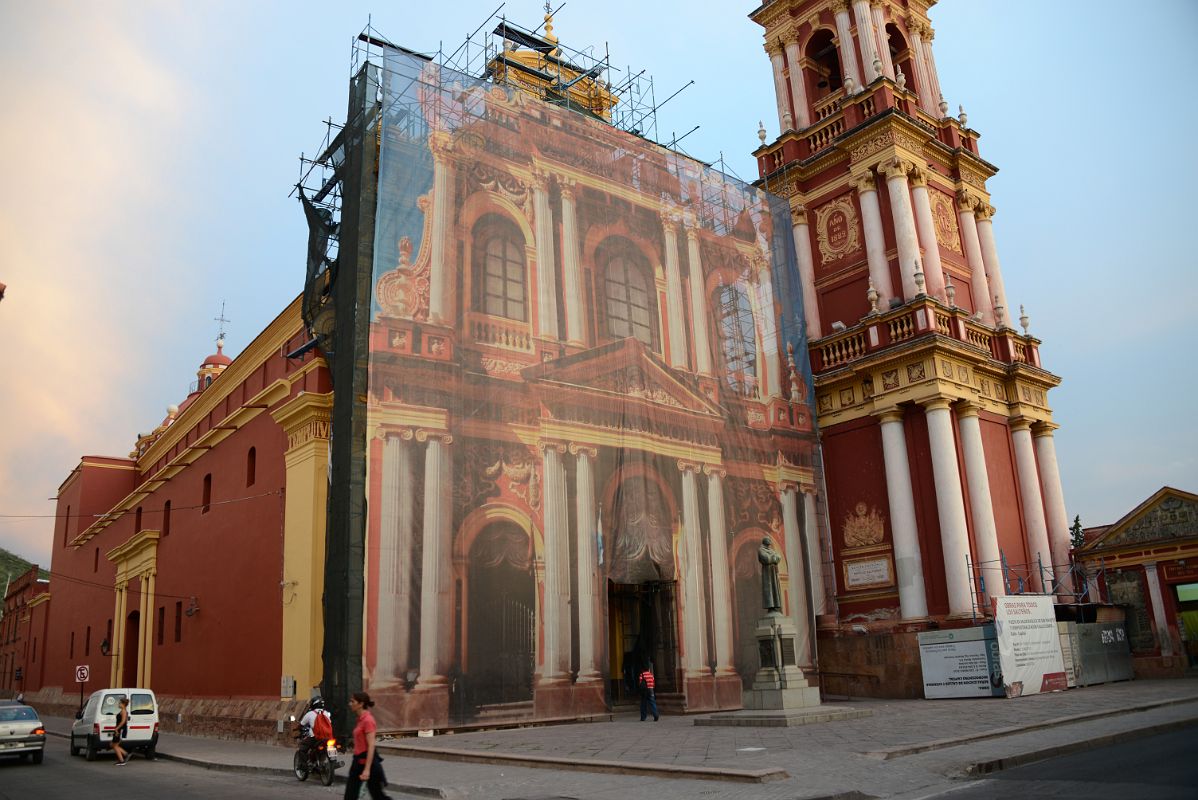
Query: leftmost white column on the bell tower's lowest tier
pixel 909 561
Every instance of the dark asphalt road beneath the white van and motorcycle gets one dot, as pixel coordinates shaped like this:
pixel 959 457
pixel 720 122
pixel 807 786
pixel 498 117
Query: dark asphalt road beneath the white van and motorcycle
pixel 63 777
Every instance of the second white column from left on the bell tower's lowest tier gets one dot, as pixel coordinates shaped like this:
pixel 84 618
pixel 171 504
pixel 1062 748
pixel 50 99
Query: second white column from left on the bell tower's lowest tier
pixel 951 506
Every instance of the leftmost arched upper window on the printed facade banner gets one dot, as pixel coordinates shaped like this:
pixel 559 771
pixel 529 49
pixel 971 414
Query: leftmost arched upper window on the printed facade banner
pixel 500 270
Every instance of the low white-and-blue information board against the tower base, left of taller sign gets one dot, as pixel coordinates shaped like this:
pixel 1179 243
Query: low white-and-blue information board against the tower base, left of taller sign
pixel 961 663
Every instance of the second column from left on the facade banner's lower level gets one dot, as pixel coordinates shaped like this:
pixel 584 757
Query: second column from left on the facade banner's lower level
pixel 437 621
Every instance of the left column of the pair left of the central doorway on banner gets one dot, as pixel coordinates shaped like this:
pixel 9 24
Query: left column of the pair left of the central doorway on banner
pixel 556 613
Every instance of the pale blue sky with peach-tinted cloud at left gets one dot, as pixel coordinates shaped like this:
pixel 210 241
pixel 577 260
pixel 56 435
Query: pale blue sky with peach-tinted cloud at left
pixel 152 148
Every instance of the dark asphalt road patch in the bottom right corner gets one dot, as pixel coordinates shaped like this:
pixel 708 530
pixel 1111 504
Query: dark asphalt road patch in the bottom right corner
pixel 1154 768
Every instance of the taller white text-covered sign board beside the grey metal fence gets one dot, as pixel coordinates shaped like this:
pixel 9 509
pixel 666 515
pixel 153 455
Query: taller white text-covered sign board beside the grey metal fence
pixel 1028 645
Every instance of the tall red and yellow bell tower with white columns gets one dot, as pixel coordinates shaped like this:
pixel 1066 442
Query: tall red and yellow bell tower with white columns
pixel 942 481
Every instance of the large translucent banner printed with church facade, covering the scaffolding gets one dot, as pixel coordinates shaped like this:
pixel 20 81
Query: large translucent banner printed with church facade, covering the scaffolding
pixel 589 403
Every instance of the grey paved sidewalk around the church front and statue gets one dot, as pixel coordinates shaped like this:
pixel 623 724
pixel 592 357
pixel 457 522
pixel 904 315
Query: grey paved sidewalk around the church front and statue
pixel 906 749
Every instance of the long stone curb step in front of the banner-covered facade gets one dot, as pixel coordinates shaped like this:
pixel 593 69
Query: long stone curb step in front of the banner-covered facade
pixel 646 769
